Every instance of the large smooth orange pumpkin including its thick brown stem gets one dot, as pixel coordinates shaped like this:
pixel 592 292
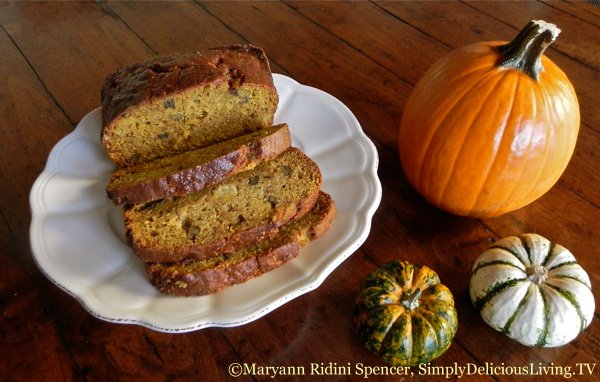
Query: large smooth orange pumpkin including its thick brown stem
pixel 491 126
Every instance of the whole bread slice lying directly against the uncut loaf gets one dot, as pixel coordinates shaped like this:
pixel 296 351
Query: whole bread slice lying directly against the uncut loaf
pixel 196 169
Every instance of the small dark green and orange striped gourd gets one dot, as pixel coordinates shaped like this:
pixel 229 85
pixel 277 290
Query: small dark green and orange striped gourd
pixel 405 314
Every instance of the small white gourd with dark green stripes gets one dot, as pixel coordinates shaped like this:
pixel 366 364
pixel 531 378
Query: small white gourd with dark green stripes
pixel 532 290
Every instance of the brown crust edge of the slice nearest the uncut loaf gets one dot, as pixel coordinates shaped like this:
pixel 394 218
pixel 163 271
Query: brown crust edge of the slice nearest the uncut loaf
pixel 198 176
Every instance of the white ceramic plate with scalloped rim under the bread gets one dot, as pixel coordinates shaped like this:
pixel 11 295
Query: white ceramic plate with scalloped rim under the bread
pixel 78 240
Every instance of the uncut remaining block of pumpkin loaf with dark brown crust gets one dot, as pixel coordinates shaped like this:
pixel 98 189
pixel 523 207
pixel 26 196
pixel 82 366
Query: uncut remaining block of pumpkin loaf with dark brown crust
pixel 176 103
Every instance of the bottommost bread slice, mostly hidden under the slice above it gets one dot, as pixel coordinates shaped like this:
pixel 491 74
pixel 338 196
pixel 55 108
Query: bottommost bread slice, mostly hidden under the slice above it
pixel 202 277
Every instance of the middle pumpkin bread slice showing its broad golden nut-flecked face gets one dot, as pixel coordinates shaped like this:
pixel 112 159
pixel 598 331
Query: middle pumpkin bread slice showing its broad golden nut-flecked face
pixel 242 210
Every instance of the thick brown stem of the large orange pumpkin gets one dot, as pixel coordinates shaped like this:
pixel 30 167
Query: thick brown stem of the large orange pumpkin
pixel 525 51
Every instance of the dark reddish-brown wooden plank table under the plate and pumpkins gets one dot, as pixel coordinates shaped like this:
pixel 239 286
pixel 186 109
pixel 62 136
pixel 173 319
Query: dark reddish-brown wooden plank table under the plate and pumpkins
pixel 54 58
